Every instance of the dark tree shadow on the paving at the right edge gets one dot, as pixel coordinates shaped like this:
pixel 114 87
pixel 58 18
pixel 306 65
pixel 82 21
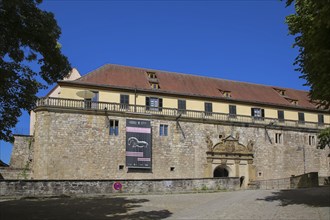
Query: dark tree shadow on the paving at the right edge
pixel 315 197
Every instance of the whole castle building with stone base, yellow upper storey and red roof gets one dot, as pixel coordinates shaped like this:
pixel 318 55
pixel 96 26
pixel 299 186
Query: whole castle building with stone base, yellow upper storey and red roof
pixel 120 122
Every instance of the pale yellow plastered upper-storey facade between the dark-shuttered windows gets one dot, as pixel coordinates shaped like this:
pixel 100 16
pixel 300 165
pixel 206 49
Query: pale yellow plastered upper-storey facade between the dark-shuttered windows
pixel 191 104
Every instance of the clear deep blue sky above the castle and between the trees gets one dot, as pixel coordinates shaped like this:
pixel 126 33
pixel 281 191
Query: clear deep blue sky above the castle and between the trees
pixel 240 40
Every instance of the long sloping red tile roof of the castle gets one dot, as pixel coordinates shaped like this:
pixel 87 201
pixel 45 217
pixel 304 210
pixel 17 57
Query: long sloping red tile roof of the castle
pixel 185 84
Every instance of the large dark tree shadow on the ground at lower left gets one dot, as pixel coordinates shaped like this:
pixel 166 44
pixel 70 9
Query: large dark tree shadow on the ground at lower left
pixel 78 208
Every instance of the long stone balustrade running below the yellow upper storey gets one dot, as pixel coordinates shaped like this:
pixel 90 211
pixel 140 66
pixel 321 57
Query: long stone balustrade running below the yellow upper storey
pixel 171 112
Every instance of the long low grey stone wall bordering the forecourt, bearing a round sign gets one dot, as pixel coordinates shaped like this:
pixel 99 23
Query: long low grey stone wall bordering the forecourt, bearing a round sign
pixel 29 188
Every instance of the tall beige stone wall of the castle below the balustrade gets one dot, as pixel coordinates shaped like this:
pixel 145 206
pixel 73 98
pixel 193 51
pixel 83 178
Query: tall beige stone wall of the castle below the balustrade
pixel 76 145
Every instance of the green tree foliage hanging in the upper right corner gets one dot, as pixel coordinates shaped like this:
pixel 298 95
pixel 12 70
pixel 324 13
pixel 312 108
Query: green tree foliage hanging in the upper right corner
pixel 311 27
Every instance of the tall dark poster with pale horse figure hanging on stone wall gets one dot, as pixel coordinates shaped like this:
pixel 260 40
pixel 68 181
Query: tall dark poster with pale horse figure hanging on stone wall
pixel 138 144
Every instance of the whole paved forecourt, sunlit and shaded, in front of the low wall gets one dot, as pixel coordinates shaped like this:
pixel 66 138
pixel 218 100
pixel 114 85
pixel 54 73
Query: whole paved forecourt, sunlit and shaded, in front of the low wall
pixel 252 204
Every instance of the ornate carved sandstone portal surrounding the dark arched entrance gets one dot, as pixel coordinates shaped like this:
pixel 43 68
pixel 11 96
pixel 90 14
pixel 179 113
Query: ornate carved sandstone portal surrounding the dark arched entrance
pixel 229 158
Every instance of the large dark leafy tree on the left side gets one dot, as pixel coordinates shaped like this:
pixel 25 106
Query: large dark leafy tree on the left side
pixel 28 41
